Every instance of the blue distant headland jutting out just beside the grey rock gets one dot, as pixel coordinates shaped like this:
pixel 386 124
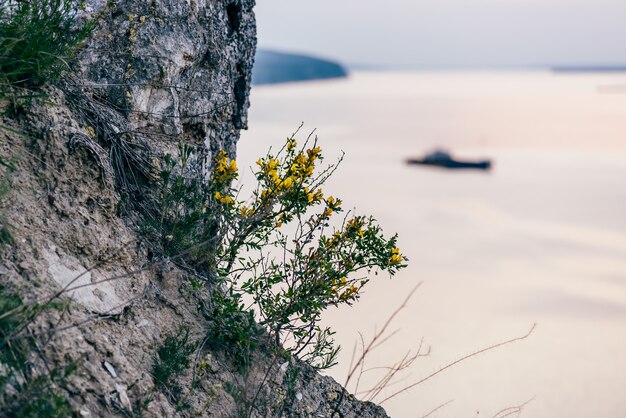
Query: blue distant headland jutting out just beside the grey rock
pixel 277 67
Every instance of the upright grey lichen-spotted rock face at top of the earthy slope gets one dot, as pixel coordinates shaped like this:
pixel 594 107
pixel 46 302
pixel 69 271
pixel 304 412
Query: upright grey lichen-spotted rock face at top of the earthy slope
pixel 176 69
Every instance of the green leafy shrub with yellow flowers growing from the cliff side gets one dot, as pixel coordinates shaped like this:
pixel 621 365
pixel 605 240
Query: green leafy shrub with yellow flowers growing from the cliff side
pixel 282 257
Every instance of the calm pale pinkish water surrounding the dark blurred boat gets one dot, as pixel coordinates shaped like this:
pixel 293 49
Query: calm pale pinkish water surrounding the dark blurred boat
pixel 542 238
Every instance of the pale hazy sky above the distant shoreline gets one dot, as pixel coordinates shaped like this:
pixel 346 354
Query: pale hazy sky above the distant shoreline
pixel 448 33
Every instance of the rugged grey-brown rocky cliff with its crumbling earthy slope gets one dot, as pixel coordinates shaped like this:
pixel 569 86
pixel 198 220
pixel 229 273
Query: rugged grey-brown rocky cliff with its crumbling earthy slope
pixel 107 310
